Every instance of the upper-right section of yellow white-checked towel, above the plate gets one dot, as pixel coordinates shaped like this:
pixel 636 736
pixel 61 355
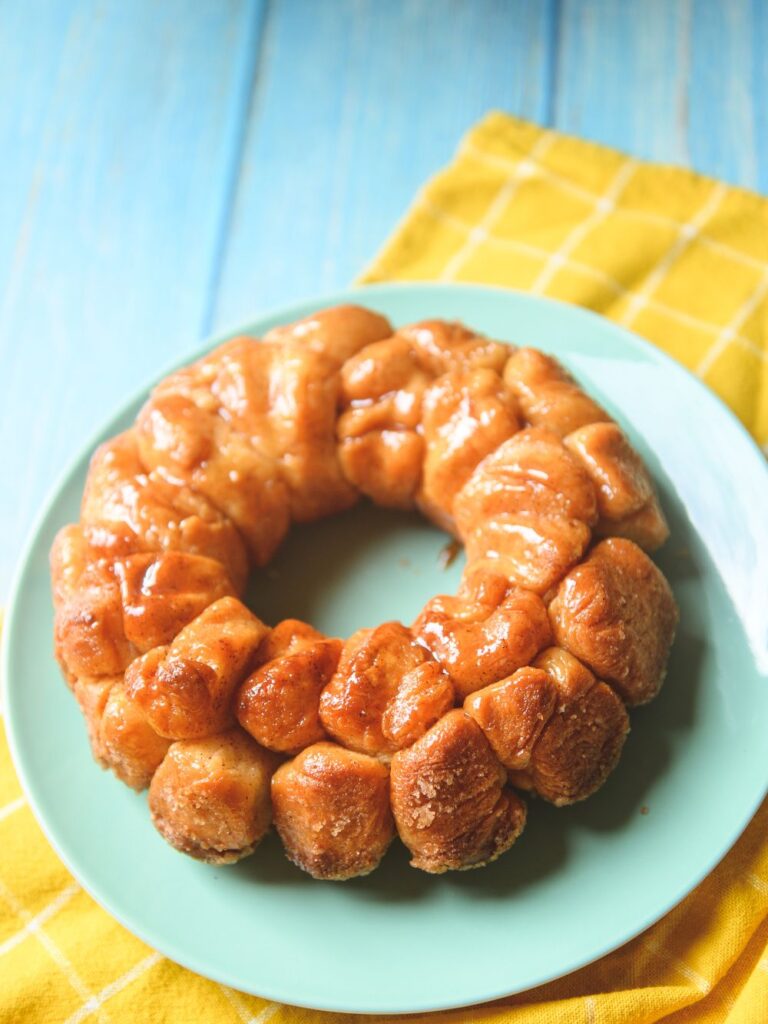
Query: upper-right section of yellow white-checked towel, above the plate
pixel 676 258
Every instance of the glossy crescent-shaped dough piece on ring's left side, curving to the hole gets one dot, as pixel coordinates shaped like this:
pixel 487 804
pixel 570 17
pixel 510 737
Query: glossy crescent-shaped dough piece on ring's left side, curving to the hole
pixel 127 510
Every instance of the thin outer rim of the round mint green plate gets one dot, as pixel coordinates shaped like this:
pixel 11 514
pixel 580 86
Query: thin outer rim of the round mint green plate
pixel 366 295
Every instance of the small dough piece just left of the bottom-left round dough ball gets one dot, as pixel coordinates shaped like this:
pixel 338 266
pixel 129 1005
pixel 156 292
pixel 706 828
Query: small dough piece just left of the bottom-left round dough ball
pixel 130 745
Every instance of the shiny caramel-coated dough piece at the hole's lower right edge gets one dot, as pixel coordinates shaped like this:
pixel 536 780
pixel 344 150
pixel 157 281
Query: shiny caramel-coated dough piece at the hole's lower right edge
pixel 486 632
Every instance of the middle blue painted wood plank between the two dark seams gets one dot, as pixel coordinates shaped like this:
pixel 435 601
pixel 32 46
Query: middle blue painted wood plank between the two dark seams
pixel 358 104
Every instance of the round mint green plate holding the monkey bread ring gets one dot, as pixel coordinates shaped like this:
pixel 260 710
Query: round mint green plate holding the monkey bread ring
pixel 582 881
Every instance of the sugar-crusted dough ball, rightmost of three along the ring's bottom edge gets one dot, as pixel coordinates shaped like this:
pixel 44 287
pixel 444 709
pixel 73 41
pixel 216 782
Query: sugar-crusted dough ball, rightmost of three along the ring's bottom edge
pixel 449 798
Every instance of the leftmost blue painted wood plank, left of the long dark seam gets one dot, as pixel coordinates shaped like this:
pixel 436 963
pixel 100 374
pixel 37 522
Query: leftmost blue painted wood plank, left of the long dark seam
pixel 119 153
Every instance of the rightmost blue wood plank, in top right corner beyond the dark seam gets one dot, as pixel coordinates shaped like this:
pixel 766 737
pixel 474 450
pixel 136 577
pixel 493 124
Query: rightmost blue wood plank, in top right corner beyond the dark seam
pixel 681 83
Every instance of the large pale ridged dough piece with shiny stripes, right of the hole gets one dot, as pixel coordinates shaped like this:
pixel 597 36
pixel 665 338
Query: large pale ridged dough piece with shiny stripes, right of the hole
pixel 528 510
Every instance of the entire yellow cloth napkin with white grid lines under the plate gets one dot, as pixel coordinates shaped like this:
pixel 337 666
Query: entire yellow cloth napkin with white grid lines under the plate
pixel 682 261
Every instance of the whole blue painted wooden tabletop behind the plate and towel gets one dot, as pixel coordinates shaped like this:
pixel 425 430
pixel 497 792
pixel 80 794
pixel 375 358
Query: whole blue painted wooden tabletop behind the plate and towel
pixel 172 167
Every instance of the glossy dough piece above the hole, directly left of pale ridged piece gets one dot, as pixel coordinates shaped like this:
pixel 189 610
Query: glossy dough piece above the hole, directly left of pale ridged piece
pixel 466 414
